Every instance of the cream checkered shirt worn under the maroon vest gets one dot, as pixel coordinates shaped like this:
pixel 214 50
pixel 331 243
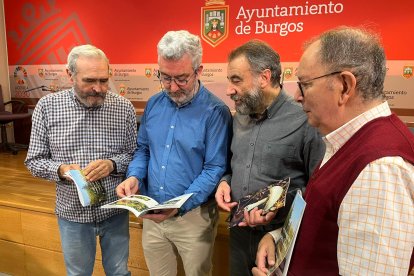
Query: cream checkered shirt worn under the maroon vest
pixel 376 217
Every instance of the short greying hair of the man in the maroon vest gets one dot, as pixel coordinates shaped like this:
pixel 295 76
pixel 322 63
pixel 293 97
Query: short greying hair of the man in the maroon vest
pixel 359 51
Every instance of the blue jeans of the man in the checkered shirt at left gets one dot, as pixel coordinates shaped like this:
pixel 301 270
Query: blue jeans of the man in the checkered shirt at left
pixel 79 245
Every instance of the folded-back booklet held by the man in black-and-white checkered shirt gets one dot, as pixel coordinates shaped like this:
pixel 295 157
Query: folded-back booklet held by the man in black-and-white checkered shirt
pixel 90 193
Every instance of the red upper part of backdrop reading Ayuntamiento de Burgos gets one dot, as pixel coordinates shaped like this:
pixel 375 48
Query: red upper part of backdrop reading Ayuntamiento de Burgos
pixel 43 31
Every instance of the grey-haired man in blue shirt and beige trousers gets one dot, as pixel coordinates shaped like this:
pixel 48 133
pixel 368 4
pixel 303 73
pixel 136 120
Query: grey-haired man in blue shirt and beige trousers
pixel 183 145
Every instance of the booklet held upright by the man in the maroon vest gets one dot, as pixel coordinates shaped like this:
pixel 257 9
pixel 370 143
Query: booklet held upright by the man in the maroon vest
pixel 286 242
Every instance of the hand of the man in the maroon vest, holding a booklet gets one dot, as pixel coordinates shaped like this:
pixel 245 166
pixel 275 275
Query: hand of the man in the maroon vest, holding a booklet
pixel 265 256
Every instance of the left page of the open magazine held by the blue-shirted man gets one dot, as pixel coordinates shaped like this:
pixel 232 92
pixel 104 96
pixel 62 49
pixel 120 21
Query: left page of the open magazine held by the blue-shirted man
pixel 137 204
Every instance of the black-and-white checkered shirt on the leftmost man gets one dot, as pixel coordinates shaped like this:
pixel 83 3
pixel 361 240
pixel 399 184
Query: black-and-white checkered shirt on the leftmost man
pixel 64 131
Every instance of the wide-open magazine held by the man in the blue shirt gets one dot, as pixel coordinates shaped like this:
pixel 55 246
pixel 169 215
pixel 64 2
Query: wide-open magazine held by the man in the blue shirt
pixel 140 204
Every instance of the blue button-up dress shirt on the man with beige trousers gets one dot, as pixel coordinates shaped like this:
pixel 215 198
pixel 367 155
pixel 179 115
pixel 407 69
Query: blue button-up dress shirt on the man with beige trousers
pixel 182 149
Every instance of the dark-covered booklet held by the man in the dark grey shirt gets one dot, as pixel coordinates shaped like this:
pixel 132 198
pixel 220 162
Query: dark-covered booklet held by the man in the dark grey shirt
pixel 269 199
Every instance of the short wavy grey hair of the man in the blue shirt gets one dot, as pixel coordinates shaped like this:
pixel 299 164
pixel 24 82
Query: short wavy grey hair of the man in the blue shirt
pixel 175 44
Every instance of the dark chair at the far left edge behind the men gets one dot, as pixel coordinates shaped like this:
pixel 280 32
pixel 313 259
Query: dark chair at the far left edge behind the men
pixel 7 117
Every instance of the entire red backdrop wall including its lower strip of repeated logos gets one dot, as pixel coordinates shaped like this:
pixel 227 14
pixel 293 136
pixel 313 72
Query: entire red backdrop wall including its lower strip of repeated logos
pixel 40 34
